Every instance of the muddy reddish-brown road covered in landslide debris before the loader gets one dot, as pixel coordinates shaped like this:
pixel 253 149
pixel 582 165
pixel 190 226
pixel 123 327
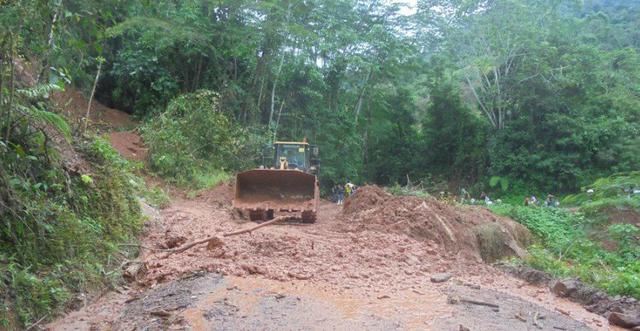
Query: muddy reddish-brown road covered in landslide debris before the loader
pixel 314 277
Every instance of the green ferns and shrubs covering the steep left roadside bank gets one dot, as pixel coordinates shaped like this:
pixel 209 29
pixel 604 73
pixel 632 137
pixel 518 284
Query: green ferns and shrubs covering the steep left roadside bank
pixel 59 234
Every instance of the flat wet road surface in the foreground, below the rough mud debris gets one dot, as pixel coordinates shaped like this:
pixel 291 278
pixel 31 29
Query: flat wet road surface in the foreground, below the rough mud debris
pixel 206 301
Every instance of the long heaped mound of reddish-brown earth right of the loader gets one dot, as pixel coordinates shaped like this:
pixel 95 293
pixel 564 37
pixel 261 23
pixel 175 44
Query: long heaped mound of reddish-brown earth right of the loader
pixel 469 232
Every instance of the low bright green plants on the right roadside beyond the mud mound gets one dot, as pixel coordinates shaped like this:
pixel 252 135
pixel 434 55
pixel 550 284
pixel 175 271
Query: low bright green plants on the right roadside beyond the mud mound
pixel 566 247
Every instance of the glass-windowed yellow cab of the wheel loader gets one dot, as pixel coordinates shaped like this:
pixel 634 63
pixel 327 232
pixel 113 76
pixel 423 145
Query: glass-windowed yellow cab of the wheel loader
pixel 298 155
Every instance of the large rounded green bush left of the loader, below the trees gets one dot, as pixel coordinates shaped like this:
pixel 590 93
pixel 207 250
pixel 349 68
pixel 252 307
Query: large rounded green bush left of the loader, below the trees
pixel 193 137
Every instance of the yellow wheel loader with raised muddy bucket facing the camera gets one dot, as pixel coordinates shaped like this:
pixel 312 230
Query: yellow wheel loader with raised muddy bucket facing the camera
pixel 286 182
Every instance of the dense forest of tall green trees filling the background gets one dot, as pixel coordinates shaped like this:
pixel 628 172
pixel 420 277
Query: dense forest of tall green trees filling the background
pixel 545 93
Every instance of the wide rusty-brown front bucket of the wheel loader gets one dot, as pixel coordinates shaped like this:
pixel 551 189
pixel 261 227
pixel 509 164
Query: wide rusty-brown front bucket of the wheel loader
pixel 279 190
